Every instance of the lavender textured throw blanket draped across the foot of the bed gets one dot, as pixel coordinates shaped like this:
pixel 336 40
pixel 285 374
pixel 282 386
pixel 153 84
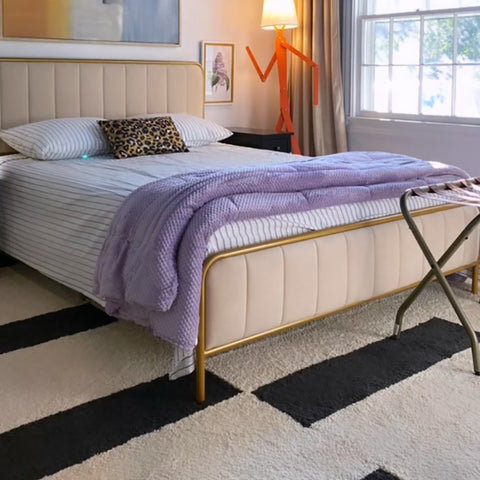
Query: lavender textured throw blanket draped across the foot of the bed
pixel 150 266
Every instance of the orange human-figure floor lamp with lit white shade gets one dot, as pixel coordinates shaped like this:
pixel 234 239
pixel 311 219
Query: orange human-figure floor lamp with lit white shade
pixel 281 15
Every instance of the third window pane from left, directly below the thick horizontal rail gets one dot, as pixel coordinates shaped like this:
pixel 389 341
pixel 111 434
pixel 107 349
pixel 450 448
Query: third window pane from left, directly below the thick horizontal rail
pixel 438 40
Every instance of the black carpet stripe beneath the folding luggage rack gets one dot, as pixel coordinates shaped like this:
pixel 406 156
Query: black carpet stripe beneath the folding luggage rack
pixel 317 391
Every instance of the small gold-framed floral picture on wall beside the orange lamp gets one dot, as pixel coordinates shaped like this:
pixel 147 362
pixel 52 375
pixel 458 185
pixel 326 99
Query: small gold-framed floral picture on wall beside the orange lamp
pixel 218 66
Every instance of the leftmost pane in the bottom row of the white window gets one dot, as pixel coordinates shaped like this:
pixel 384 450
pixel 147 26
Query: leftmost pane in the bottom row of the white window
pixel 375 89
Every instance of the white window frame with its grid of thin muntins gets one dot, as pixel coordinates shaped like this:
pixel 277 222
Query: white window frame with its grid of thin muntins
pixel 358 18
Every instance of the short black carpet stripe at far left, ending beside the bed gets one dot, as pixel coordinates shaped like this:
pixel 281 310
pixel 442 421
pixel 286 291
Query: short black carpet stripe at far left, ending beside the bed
pixel 52 325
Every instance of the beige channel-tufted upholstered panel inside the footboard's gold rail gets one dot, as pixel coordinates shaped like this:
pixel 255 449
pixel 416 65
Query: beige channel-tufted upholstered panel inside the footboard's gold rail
pixel 253 293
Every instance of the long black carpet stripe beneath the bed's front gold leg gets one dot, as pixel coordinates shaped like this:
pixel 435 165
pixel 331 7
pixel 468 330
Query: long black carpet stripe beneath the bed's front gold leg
pixel 67 438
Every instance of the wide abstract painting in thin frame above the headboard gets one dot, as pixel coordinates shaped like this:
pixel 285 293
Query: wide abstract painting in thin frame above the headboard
pixel 129 21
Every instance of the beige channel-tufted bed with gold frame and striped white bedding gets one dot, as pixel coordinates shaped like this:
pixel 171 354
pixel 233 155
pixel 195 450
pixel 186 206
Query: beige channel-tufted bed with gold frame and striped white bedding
pixel 259 276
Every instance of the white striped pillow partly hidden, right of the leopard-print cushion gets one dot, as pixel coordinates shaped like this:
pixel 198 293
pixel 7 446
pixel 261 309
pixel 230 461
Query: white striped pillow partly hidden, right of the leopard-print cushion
pixel 195 131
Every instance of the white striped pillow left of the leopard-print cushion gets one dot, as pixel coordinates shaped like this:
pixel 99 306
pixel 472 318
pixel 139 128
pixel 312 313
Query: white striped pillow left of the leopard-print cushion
pixel 58 138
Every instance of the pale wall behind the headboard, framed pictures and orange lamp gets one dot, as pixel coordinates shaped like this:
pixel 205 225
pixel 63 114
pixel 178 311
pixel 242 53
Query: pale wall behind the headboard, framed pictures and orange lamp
pixel 237 21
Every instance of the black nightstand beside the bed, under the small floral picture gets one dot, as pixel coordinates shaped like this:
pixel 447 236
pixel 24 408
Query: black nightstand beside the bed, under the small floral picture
pixel 258 138
